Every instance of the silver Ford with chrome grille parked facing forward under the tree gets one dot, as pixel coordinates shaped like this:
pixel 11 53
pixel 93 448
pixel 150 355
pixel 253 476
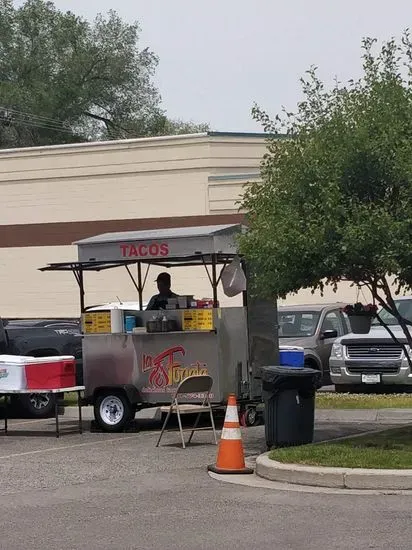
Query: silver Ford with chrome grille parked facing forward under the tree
pixel 372 360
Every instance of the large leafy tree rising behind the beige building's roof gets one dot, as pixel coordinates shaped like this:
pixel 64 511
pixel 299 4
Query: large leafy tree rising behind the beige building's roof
pixel 63 79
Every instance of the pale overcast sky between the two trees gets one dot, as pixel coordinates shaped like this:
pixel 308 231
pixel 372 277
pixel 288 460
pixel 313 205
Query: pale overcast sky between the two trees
pixel 219 56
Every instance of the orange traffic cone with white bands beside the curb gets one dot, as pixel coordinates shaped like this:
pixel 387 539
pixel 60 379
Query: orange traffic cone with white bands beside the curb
pixel 230 456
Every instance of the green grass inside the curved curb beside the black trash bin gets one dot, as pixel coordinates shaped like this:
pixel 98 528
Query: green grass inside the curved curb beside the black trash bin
pixel 387 449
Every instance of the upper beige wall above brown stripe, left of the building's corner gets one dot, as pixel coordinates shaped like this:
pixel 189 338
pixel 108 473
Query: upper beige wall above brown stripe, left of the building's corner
pixel 104 181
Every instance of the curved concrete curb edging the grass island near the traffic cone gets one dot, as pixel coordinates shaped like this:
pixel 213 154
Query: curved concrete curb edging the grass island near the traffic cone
pixel 342 478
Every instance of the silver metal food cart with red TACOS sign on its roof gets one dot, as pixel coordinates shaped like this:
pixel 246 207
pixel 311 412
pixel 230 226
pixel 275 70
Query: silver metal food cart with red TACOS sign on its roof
pixel 128 369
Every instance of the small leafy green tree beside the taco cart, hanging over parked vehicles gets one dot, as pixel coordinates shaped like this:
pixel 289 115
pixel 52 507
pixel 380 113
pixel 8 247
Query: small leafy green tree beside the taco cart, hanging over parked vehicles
pixel 335 201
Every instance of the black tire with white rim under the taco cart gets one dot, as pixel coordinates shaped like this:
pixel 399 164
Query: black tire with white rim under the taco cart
pixel 112 411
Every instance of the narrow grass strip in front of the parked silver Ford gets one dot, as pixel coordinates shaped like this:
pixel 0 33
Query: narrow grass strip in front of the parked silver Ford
pixel 363 401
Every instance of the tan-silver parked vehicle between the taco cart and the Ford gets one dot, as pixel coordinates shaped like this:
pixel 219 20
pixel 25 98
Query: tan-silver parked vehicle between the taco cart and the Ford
pixel 315 328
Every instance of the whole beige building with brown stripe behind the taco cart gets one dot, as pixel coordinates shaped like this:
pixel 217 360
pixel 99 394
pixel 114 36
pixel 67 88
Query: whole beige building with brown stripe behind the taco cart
pixel 50 191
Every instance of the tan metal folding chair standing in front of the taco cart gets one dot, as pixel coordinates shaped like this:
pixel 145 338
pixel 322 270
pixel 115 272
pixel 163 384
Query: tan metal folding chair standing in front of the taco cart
pixel 192 384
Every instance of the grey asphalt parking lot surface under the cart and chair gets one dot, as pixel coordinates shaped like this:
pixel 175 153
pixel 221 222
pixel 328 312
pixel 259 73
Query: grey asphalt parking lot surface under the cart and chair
pixel 101 491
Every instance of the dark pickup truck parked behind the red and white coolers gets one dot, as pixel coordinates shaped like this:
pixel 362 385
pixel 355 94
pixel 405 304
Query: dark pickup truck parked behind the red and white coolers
pixel 39 339
